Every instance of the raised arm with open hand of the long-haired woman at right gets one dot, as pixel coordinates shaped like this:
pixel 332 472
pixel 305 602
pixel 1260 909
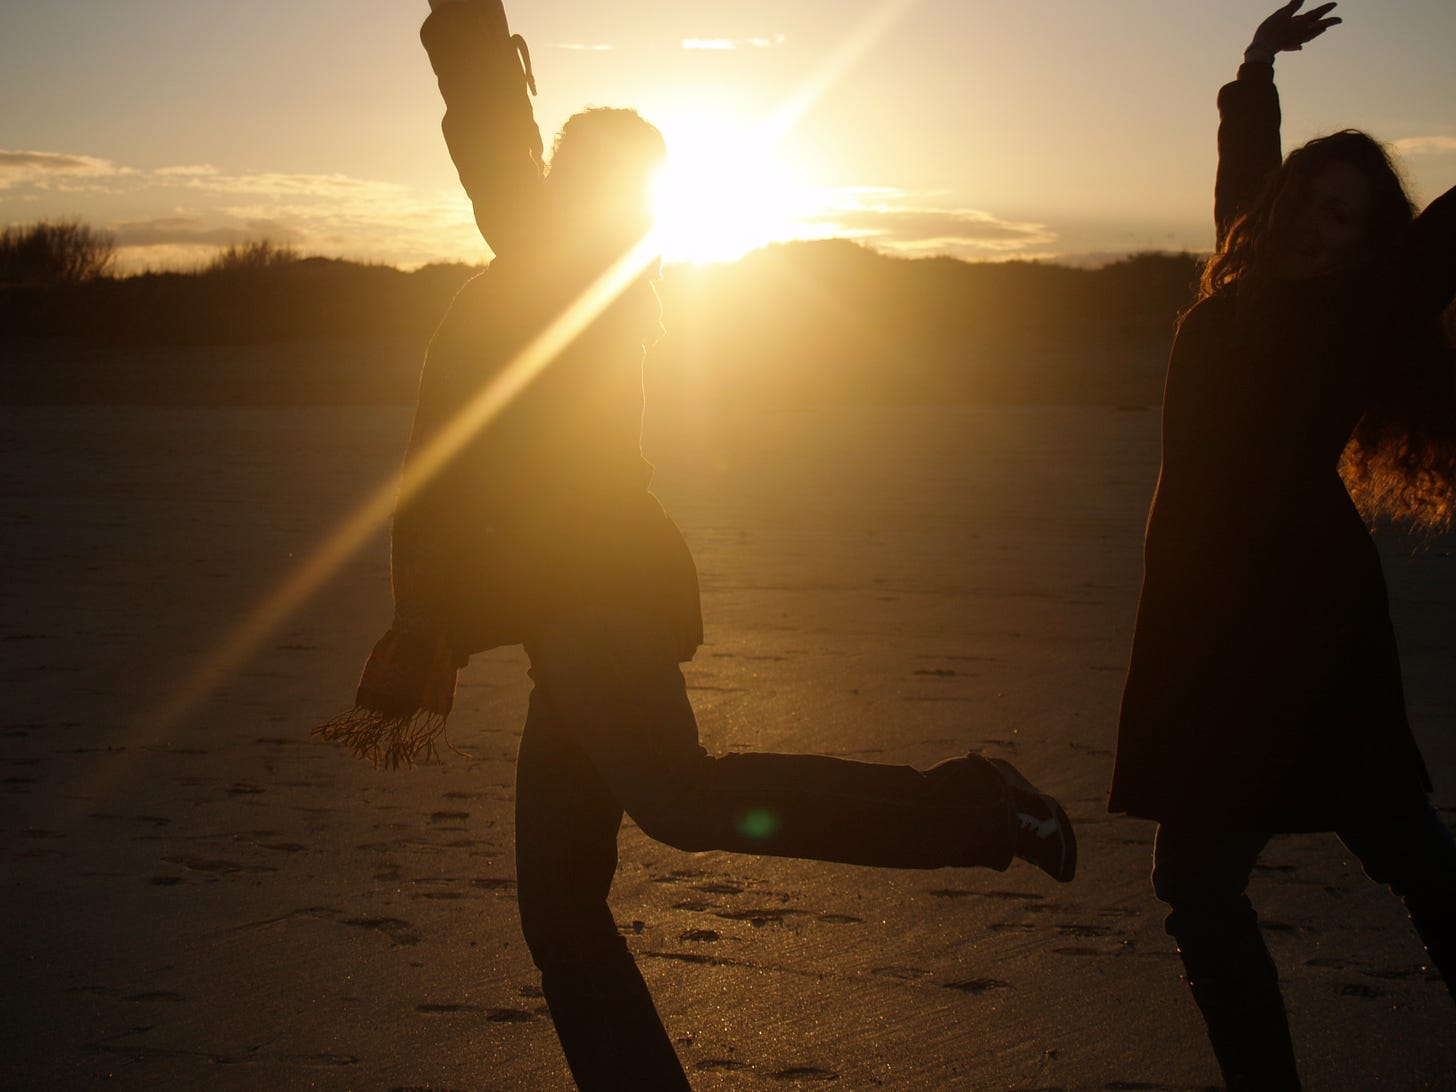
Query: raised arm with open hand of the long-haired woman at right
pixel 1250 114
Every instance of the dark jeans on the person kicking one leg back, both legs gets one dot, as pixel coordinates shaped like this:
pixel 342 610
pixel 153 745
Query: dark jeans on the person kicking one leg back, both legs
pixel 611 732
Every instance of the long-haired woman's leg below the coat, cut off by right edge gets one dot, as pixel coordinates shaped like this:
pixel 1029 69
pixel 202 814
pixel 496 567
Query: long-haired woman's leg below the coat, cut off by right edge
pixel 1415 854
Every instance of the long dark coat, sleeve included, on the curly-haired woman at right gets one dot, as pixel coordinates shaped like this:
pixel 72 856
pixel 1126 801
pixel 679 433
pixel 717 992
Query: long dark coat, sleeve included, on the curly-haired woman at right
pixel 1265 687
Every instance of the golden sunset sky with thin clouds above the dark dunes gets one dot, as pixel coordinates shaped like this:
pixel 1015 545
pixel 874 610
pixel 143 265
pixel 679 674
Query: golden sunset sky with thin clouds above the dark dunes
pixel 979 129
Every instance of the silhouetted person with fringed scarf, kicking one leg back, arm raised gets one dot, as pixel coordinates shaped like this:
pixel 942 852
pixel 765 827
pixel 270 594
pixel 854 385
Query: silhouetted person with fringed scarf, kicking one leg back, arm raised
pixel 538 528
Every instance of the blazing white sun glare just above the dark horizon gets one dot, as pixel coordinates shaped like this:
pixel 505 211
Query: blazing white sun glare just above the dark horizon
pixel 723 194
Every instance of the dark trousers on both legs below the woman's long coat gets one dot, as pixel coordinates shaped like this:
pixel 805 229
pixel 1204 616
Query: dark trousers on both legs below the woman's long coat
pixel 1202 874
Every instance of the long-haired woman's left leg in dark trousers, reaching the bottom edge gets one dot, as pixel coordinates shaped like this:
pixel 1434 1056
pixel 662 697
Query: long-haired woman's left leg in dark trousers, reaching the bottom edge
pixel 1203 874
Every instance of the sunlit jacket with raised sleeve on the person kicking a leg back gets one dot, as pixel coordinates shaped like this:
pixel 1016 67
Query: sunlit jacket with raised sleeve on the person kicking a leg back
pixel 545 509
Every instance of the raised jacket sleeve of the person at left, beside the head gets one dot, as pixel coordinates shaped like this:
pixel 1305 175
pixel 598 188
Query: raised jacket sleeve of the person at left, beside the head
pixel 488 124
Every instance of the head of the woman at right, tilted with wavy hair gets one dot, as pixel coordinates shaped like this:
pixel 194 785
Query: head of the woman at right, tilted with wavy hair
pixel 1336 202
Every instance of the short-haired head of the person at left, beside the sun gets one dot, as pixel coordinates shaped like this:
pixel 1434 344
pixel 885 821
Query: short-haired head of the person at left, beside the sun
pixel 602 173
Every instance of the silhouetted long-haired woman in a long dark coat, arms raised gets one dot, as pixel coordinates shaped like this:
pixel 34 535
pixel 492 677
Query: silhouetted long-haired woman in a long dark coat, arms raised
pixel 1265 691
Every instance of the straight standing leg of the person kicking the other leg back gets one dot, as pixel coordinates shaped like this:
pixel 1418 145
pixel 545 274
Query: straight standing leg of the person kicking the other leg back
pixel 566 857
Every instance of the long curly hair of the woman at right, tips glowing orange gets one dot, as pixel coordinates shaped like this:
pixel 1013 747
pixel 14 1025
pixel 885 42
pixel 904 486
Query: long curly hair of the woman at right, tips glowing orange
pixel 1400 464
